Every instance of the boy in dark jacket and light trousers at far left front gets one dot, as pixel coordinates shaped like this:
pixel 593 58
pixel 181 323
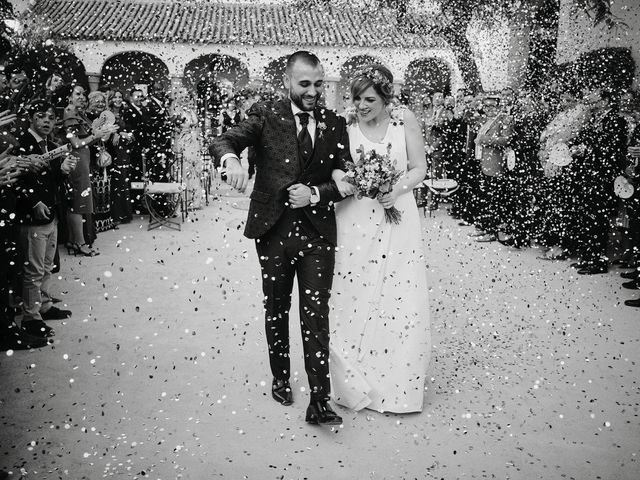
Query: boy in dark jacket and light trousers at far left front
pixel 38 195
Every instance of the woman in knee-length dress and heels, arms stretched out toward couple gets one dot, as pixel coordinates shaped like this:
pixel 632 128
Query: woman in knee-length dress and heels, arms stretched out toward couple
pixel 80 135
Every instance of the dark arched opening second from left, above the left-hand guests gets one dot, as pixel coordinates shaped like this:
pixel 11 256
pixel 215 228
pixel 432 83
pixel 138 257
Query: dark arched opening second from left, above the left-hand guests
pixel 125 70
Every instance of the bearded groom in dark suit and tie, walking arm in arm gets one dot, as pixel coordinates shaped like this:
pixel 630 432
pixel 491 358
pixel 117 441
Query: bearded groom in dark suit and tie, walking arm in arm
pixel 292 220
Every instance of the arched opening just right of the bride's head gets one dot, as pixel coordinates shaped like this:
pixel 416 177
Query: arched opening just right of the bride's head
pixel 425 76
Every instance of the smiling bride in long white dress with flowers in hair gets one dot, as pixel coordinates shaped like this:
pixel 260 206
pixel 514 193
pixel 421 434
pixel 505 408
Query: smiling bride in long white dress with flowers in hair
pixel 380 338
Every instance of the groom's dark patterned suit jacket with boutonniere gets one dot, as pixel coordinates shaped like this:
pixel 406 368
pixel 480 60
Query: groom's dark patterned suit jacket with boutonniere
pixel 271 129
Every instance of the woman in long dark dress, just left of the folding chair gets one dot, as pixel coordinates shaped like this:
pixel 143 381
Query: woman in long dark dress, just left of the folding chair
pixel 119 146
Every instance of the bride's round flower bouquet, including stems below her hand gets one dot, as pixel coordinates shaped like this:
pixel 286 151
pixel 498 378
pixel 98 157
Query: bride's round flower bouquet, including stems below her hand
pixel 373 175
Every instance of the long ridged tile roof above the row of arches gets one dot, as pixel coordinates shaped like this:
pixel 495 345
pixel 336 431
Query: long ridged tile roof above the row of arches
pixel 226 23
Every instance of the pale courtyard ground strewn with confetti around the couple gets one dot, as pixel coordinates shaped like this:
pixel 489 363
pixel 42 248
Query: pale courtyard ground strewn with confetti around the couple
pixel 162 371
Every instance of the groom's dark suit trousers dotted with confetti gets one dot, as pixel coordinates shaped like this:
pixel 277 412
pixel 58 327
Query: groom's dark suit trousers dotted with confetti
pixel 309 256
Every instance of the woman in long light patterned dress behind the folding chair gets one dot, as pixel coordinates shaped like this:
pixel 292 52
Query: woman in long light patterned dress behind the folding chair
pixel 187 141
